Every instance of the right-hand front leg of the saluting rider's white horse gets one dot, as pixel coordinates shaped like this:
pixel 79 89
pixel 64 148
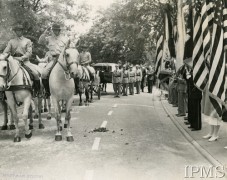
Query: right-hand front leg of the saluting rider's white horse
pixel 67 120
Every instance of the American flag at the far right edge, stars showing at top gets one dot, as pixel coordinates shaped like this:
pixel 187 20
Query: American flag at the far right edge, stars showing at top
pixel 217 86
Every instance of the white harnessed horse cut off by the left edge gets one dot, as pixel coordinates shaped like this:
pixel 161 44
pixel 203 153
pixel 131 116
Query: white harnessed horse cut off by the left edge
pixel 16 83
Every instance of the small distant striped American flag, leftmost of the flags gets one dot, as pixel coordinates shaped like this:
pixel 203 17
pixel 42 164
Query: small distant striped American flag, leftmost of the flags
pixel 159 52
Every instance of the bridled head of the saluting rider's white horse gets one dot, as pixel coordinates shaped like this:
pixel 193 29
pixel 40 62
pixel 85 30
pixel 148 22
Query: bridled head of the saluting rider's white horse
pixel 71 59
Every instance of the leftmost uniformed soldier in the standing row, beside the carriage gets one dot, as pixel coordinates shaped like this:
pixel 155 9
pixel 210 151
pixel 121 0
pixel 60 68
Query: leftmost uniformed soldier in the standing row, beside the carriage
pixel 117 77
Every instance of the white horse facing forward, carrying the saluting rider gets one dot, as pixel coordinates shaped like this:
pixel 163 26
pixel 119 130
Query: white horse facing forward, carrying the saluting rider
pixel 62 88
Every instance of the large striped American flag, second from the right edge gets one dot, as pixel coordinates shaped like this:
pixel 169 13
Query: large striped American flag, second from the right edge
pixel 201 41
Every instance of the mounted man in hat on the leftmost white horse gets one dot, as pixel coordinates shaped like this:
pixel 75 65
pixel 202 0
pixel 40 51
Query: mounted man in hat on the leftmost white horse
pixel 21 49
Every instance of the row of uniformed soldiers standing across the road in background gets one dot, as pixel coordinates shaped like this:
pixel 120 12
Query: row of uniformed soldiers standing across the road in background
pixel 131 77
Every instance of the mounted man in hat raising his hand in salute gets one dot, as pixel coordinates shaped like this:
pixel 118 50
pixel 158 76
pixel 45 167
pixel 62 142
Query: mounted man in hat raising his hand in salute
pixel 55 42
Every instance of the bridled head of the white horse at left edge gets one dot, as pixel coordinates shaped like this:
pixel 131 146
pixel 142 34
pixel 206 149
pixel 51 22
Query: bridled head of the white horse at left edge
pixel 4 71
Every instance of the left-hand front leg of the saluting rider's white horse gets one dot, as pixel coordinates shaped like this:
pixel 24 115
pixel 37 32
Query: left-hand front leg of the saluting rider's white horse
pixel 57 109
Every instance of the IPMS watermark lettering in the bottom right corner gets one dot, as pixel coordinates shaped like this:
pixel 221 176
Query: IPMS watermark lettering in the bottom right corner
pixel 205 172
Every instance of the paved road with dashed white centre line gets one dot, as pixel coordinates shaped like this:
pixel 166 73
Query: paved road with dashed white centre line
pixel 141 144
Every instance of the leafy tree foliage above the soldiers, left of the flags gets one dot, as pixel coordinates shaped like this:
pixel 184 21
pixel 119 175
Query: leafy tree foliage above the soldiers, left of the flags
pixel 126 31
